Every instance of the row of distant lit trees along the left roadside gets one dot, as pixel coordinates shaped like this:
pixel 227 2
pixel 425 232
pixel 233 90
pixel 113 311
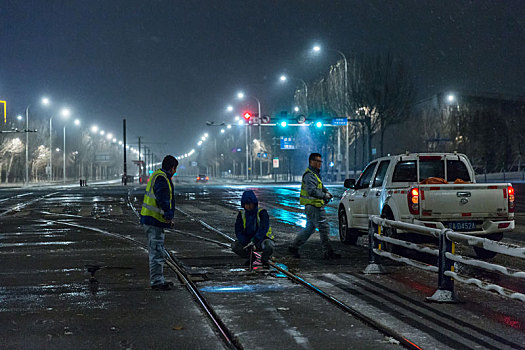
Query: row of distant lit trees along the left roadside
pixel 82 149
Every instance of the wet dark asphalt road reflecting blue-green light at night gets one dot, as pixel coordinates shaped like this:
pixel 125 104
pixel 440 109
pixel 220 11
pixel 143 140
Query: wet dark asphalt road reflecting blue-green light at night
pixel 264 311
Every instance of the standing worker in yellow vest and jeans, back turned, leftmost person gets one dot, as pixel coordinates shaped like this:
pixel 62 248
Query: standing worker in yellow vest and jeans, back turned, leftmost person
pixel 158 209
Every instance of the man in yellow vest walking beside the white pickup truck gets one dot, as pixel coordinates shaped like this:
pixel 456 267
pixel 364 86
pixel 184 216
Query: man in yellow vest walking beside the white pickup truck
pixel 314 196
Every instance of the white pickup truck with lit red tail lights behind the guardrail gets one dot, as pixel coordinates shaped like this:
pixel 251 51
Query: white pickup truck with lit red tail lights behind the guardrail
pixel 429 189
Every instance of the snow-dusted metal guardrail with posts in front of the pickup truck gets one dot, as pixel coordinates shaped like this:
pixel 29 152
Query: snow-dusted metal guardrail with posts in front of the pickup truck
pixel 446 258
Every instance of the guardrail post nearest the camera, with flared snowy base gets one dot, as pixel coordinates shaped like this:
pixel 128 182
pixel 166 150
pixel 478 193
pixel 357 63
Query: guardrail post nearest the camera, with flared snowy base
pixel 445 292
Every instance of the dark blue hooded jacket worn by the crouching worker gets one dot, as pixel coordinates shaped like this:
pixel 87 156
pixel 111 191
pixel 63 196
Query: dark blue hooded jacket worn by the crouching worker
pixel 253 231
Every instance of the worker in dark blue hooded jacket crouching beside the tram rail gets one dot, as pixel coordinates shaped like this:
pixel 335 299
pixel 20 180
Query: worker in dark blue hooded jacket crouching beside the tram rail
pixel 253 226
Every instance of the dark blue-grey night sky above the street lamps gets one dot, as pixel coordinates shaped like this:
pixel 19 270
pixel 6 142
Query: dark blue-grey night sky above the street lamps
pixel 169 66
